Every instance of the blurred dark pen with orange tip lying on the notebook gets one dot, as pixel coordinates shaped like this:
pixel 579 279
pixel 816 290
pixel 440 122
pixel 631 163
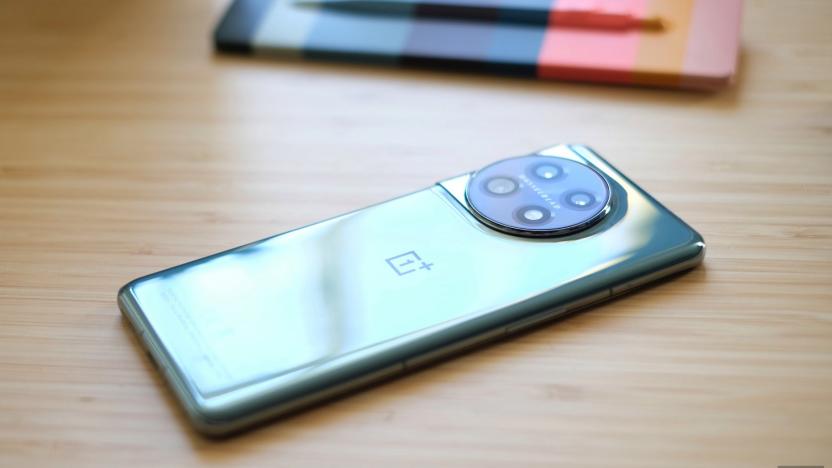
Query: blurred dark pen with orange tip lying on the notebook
pixel 585 14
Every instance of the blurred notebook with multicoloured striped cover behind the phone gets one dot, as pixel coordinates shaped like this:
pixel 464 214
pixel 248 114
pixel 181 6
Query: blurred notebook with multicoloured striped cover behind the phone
pixel 697 49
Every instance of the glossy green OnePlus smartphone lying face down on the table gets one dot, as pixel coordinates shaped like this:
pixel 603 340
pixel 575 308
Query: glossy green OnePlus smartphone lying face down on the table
pixel 279 324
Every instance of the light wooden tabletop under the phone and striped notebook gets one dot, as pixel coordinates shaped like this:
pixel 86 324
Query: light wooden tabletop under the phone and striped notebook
pixel 127 146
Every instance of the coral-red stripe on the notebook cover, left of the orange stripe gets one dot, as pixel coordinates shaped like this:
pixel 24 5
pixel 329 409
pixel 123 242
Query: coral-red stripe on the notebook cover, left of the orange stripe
pixel 589 54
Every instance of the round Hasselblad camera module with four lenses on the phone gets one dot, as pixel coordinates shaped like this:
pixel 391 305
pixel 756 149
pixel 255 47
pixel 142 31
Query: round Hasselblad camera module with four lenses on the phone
pixel 549 196
